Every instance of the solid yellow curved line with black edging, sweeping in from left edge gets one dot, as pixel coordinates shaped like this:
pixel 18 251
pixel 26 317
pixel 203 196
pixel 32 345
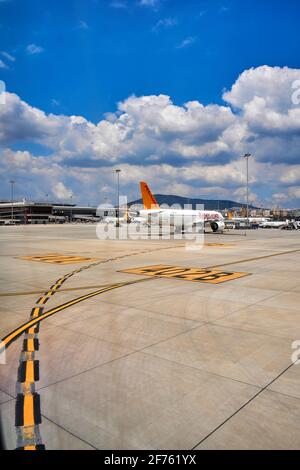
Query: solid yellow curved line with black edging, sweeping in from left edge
pixel 7 340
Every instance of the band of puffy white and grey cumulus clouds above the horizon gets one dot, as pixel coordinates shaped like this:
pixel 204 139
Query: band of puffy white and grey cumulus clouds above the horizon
pixel 188 146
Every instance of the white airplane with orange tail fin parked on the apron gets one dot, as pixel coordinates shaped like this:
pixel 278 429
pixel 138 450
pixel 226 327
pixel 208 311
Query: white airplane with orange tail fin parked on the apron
pixel 180 219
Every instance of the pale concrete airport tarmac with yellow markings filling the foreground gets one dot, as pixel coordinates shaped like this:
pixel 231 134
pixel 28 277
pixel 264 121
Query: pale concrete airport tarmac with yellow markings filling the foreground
pixel 144 361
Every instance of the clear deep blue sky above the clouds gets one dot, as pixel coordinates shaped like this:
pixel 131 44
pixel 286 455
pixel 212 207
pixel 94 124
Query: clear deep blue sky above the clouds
pixel 97 54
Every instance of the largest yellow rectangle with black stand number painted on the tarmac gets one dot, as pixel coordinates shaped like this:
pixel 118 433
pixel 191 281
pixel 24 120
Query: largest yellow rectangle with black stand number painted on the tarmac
pixel 187 274
